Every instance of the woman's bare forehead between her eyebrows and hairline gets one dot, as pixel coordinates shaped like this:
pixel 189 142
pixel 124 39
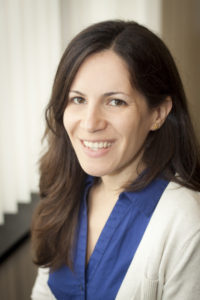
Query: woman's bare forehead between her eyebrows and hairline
pixel 103 70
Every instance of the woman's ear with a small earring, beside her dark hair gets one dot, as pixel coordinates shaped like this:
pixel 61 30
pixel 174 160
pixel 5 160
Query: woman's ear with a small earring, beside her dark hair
pixel 161 113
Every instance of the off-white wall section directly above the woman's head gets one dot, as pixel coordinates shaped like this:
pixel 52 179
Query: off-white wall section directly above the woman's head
pixel 77 14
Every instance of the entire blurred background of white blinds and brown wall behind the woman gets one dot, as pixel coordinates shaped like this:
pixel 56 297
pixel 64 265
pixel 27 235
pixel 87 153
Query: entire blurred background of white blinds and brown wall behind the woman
pixel 33 36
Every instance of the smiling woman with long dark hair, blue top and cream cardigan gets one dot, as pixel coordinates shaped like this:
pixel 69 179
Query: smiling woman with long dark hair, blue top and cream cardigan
pixel 119 216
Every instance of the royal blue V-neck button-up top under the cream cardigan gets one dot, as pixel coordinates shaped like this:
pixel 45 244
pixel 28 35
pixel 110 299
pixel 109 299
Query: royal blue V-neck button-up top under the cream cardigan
pixel 114 250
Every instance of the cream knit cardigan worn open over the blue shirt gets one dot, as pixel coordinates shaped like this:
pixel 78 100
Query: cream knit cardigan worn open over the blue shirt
pixel 166 264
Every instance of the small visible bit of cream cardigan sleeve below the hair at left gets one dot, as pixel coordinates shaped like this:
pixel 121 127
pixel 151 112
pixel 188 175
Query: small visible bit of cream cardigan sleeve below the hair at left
pixel 41 290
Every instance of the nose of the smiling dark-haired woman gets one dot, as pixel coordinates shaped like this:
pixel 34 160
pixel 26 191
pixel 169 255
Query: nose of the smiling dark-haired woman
pixel 93 119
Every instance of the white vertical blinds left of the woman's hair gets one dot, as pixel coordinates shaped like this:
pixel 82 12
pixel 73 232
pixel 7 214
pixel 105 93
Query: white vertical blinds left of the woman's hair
pixel 29 53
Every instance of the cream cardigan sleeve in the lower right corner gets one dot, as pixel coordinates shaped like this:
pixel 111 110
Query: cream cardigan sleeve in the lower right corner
pixel 184 282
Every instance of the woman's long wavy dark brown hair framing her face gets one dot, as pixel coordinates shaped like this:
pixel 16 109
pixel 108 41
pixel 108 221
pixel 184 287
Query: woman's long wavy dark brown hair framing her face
pixel 169 151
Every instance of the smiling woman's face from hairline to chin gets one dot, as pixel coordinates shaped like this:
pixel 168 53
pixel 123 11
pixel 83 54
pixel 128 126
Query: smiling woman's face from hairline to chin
pixel 106 119
